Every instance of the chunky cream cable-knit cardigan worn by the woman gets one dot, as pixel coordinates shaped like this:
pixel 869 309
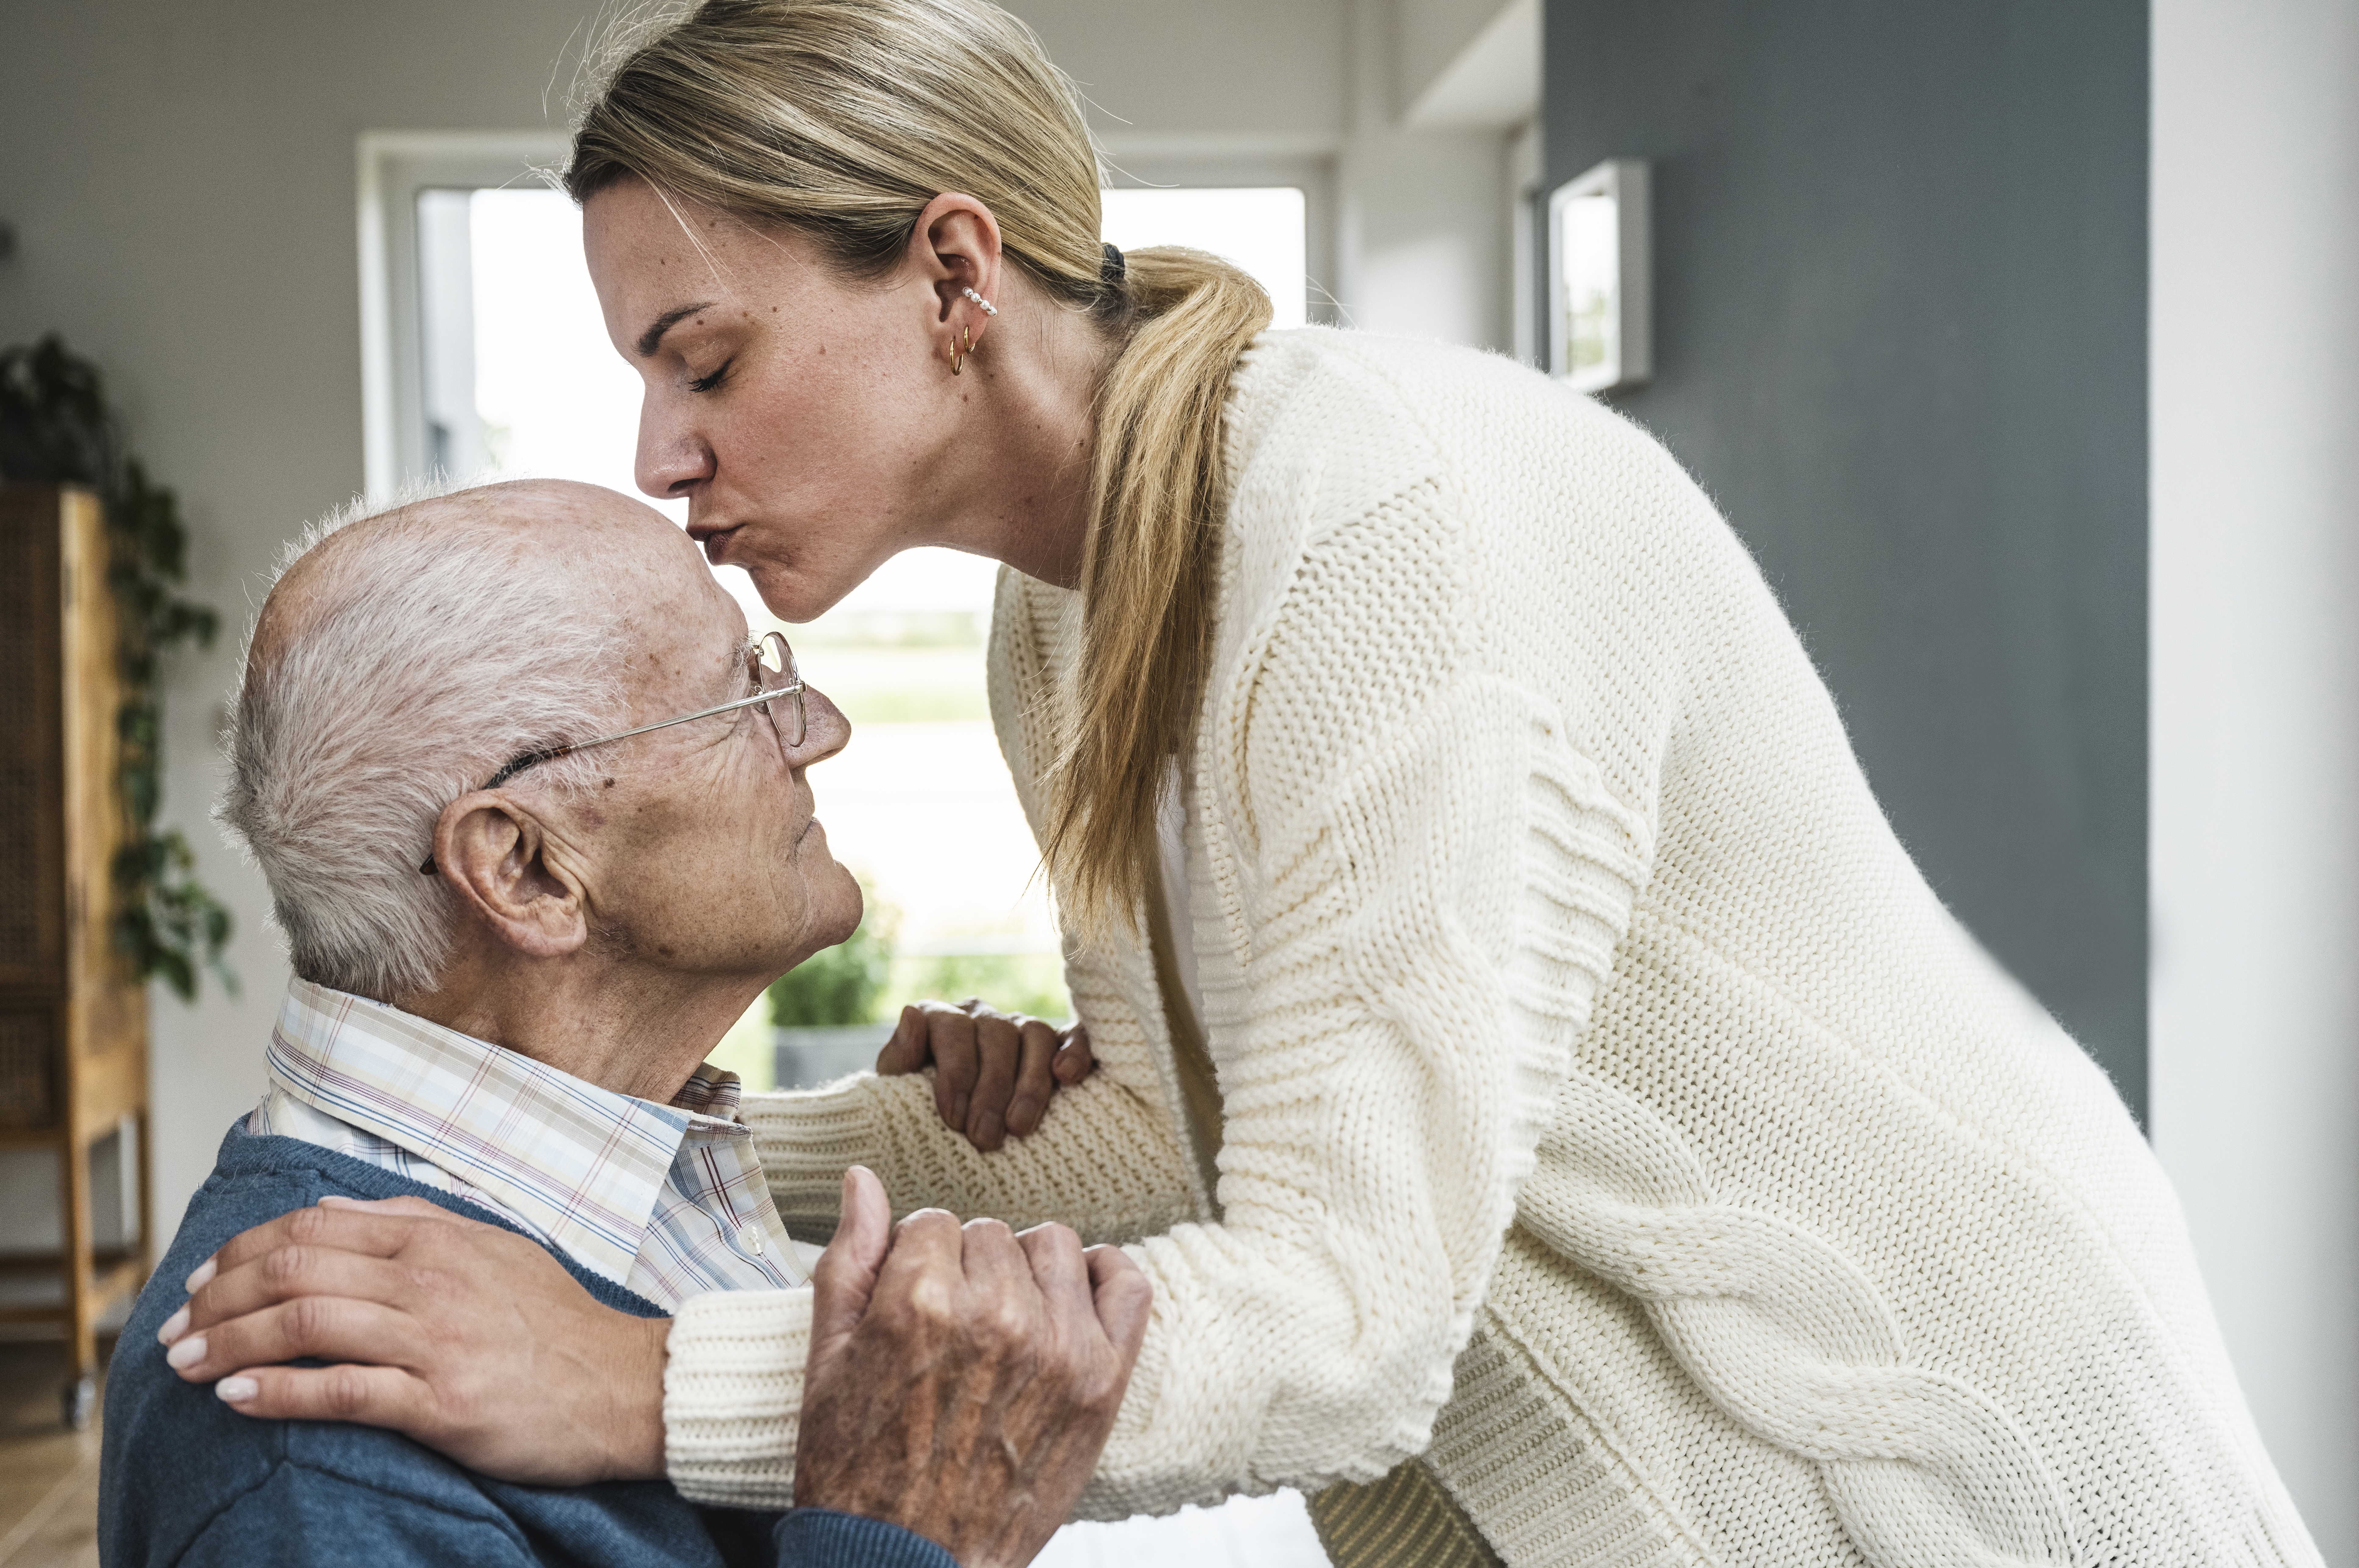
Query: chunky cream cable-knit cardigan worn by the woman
pixel 1612 1112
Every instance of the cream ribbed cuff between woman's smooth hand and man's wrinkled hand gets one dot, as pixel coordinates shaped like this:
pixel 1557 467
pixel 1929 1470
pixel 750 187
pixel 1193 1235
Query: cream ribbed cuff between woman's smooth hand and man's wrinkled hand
pixel 732 1397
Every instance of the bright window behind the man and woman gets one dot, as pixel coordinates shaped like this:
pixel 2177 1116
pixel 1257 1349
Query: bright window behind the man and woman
pixel 501 369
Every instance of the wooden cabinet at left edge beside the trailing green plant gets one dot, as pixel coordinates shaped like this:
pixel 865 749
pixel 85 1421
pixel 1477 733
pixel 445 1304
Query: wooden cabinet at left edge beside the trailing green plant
pixel 72 1013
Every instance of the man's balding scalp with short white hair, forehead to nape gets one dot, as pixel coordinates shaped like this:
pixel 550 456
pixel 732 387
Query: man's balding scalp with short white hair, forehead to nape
pixel 405 657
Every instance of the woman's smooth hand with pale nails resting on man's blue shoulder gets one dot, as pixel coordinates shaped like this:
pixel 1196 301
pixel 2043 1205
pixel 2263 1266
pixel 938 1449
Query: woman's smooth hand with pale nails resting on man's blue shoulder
pixel 461 1336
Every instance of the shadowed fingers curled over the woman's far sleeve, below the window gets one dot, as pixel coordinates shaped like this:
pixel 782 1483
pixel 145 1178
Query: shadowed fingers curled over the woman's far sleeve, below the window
pixel 994 1072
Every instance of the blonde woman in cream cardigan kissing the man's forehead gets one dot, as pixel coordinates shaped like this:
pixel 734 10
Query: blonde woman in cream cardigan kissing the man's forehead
pixel 1553 1112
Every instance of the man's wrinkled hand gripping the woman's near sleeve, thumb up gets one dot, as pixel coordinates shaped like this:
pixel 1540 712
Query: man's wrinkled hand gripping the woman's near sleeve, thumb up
pixel 964 1378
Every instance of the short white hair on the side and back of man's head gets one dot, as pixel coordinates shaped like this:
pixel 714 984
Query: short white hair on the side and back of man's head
pixel 428 652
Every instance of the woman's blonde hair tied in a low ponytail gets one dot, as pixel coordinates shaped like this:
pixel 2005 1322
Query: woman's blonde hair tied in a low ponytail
pixel 843 119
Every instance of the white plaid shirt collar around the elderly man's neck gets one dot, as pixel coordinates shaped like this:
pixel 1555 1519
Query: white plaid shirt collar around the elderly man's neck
pixel 579 1164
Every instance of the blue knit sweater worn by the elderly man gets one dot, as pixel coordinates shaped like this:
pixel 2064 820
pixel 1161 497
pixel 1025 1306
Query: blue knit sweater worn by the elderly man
pixel 185 1480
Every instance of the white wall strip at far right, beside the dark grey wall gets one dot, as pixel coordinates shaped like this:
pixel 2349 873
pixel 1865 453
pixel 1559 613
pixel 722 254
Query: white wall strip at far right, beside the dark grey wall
pixel 2256 704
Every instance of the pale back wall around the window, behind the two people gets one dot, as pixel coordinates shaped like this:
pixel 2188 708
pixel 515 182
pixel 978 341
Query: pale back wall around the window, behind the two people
pixel 183 187
